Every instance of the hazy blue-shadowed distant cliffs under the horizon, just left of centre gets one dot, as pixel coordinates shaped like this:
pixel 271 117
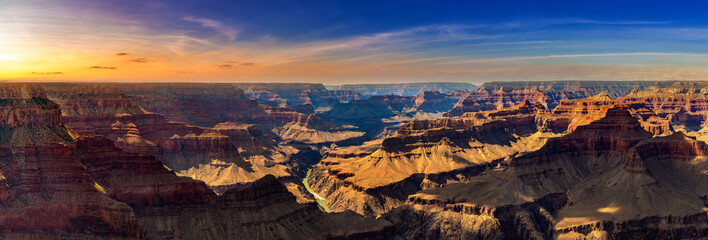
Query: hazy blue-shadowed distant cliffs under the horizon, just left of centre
pixel 293 94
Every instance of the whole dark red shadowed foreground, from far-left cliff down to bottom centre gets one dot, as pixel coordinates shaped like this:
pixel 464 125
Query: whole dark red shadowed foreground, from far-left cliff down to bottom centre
pixel 57 184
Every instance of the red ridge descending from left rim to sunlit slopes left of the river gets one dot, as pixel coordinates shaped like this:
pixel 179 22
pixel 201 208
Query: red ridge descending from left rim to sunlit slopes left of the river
pixel 209 155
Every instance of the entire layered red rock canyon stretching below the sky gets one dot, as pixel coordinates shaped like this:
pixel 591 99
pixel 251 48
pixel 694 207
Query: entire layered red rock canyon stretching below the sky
pixel 505 160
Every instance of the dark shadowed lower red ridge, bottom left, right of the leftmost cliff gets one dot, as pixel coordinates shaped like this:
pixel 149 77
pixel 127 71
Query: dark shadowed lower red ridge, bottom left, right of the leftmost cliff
pixel 170 207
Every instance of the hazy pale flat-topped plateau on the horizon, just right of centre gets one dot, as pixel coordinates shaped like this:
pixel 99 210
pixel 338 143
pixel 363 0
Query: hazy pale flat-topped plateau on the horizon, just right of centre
pixel 405 89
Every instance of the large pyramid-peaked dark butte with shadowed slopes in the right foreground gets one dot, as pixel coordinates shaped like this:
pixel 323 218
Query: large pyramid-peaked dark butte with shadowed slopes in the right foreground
pixel 607 179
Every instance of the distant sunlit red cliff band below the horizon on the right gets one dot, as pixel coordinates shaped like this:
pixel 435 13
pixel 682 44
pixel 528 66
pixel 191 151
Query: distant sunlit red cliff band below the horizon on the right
pixel 497 95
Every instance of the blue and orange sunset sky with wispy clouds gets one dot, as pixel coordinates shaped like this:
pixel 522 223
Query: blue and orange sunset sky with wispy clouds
pixel 337 42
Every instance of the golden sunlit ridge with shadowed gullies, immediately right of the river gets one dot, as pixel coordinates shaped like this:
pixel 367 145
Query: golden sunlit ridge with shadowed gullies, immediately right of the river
pixel 425 154
